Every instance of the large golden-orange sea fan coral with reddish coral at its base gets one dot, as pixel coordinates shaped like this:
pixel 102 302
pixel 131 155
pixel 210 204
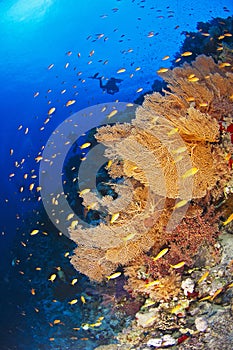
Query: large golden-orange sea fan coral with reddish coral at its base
pixel 175 141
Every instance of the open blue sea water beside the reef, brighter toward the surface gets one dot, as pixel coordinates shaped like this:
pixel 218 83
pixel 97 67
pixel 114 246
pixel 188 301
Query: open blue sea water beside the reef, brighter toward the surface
pixel 47 47
